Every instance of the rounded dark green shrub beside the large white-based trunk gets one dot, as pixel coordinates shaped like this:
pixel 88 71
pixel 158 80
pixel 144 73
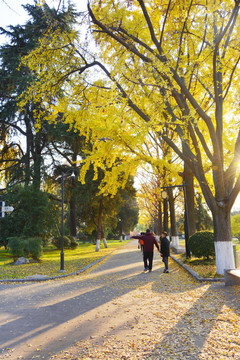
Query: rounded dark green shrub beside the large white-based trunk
pixel 201 244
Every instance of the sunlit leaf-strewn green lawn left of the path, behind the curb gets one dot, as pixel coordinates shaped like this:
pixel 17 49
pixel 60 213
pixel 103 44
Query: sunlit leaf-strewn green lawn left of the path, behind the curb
pixel 50 261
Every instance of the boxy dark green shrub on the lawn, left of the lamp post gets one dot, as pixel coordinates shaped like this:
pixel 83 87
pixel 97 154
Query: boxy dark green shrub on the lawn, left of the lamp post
pixel 26 247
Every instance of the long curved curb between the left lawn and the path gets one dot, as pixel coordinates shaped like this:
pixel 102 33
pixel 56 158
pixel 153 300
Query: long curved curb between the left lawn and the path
pixel 60 276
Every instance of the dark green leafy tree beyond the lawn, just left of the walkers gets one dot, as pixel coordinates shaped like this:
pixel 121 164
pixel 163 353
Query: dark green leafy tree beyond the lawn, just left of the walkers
pixel 90 203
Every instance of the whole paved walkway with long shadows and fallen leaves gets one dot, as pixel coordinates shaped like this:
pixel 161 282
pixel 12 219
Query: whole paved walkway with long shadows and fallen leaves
pixel 115 311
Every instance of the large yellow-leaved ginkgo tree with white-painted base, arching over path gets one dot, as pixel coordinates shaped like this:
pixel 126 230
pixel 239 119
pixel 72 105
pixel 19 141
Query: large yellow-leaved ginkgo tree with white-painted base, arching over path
pixel 159 66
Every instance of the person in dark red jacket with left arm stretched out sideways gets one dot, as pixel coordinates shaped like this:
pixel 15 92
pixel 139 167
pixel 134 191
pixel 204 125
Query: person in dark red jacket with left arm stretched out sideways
pixel 149 242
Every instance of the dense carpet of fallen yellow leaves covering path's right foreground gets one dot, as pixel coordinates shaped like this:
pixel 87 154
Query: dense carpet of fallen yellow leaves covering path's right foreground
pixel 169 317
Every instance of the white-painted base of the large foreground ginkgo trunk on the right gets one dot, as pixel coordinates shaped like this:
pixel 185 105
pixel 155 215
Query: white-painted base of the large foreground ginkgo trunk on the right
pixel 224 256
